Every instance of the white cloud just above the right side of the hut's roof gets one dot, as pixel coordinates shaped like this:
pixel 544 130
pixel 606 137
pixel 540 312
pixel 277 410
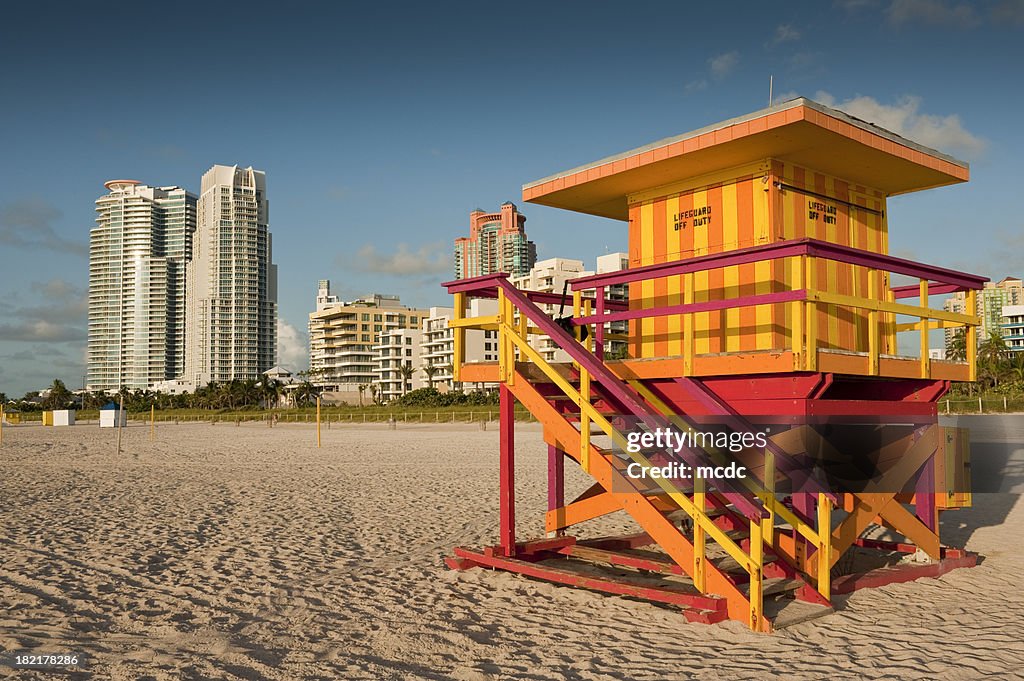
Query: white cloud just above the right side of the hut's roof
pixel 945 134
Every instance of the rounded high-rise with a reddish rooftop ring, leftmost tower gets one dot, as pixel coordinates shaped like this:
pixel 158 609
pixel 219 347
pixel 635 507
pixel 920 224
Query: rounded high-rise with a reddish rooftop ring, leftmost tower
pixel 139 253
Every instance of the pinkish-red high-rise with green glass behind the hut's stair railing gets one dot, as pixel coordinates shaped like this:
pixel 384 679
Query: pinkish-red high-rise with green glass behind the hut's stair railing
pixel 497 243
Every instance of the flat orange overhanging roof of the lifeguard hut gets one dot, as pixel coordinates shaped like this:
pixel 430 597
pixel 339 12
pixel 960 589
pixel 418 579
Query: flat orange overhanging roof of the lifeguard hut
pixel 800 132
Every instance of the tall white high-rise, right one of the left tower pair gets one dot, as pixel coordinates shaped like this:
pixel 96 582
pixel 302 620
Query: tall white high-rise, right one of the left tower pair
pixel 232 282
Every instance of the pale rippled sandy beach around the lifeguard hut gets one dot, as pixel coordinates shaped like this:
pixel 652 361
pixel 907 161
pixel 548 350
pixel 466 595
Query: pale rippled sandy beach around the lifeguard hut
pixel 244 552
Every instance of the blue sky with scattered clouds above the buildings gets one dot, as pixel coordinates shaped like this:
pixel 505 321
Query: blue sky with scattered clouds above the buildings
pixel 382 125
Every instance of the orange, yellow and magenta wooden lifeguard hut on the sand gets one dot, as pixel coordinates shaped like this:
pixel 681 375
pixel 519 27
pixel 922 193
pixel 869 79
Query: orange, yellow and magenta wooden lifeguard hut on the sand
pixel 760 286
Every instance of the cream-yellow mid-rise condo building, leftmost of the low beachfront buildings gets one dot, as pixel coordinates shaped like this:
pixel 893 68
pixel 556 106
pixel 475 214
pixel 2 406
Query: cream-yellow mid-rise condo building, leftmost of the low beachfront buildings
pixel 344 337
